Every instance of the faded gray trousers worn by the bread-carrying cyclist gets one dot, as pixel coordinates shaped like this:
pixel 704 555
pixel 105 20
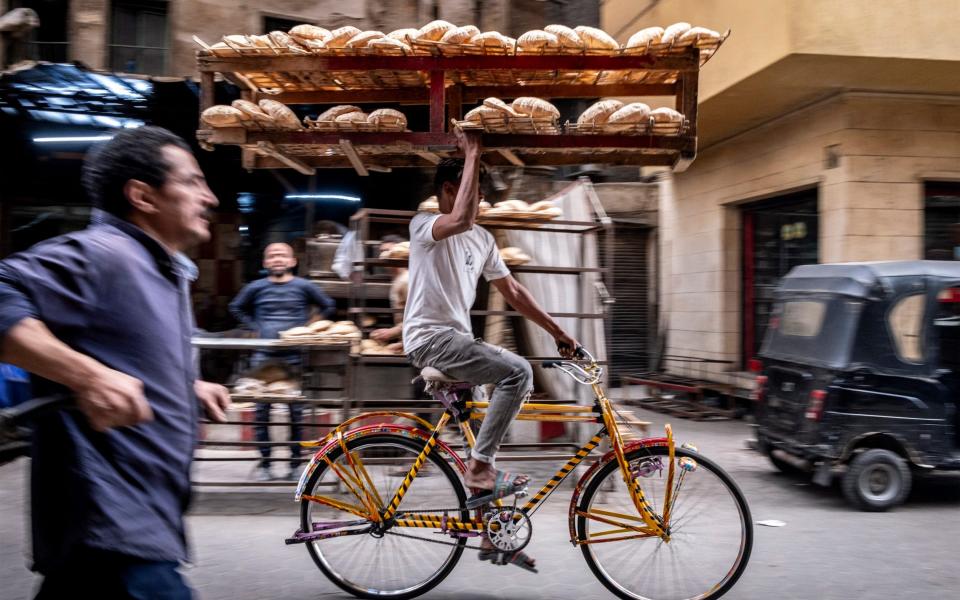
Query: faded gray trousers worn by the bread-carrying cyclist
pixel 480 363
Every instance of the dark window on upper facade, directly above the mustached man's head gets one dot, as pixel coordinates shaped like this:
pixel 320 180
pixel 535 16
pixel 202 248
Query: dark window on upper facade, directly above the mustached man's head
pixel 138 40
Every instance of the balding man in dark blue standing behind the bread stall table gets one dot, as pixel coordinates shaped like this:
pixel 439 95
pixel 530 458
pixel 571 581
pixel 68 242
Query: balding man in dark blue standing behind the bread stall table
pixel 273 304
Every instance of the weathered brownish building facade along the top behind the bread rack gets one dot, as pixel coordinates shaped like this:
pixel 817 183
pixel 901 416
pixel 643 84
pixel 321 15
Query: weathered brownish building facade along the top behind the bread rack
pixel 155 37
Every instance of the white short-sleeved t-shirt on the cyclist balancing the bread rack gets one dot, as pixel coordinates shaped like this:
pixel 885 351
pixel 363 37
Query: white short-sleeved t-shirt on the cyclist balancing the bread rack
pixel 443 279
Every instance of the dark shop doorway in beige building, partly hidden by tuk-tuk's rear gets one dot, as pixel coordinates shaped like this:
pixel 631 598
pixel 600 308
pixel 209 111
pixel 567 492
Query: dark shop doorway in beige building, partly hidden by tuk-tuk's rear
pixel 778 234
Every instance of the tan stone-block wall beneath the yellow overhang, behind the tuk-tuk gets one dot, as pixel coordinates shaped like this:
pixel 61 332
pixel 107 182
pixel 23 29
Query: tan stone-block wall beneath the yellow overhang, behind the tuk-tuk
pixel 870 203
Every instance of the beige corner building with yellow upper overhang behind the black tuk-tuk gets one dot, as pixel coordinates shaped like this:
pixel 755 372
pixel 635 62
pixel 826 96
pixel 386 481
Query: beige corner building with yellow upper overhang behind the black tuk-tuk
pixel 829 131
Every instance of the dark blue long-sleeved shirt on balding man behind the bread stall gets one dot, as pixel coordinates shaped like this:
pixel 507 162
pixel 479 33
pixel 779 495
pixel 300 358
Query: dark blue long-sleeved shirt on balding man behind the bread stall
pixel 272 307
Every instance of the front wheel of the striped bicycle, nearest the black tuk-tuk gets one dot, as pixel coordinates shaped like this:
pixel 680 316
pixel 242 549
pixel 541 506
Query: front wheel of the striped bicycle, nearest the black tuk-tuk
pixel 711 532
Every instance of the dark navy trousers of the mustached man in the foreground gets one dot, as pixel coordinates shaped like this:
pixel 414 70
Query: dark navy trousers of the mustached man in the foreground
pixel 112 576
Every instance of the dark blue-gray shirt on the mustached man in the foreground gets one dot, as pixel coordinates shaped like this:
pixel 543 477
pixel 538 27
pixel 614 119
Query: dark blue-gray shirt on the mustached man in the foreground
pixel 113 293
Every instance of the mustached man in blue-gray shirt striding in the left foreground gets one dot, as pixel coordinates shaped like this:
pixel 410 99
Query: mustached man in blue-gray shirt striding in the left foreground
pixel 105 314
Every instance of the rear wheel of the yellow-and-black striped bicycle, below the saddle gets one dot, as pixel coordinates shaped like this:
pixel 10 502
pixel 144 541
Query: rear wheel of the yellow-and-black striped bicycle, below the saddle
pixel 401 562
